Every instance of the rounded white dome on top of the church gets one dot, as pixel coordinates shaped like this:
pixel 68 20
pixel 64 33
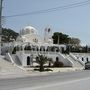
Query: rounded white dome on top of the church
pixel 28 30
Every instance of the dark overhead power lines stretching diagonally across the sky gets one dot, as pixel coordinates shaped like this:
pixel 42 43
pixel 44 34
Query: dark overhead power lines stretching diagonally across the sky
pixel 69 6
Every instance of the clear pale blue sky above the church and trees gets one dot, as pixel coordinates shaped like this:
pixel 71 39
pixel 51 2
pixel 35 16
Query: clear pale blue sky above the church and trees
pixel 75 21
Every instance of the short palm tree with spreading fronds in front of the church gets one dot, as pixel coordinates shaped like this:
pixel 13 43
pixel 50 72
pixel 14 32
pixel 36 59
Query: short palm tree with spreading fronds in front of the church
pixel 41 60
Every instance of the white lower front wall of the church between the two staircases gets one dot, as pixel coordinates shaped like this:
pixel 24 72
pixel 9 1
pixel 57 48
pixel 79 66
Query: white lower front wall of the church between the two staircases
pixel 23 57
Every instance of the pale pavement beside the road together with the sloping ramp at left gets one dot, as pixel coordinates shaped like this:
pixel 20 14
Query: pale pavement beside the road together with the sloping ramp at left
pixel 7 70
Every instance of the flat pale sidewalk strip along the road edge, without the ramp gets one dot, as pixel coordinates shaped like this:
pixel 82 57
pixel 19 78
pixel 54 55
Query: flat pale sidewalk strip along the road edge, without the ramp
pixel 31 72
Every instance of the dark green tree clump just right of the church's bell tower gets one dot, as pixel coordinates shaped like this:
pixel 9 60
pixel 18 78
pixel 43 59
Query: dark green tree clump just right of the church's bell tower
pixel 60 38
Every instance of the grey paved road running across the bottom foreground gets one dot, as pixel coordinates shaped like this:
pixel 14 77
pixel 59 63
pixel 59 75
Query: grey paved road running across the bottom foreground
pixel 79 80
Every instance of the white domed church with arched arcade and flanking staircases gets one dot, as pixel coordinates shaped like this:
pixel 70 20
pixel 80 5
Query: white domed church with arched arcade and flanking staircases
pixel 29 44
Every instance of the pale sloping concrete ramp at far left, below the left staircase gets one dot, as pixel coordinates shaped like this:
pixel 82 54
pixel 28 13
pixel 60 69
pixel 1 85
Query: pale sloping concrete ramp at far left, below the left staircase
pixel 7 67
